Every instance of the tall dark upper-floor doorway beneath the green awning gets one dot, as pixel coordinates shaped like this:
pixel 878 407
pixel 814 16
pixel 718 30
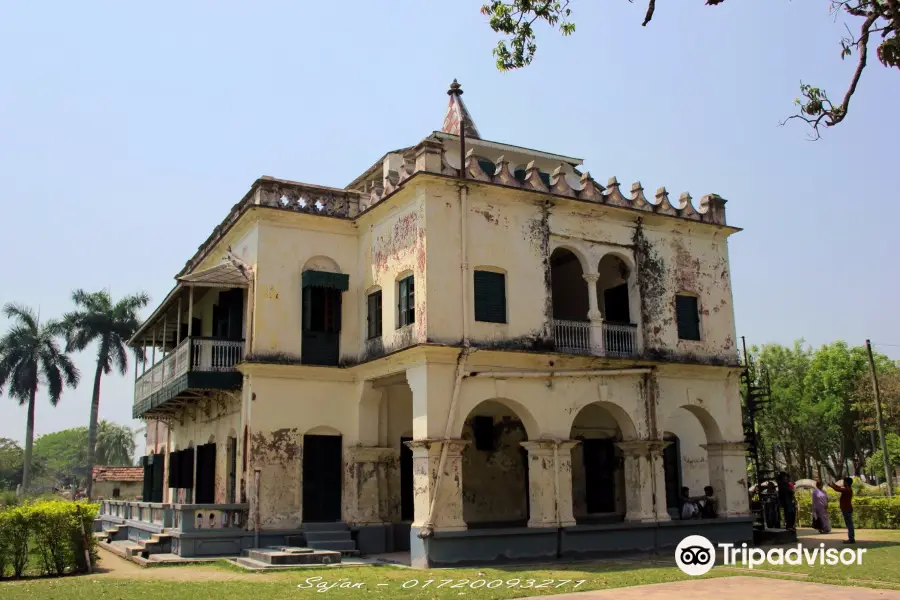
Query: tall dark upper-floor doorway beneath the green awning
pixel 321 326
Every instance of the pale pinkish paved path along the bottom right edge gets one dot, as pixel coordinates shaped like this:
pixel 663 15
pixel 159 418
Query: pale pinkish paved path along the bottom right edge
pixel 731 588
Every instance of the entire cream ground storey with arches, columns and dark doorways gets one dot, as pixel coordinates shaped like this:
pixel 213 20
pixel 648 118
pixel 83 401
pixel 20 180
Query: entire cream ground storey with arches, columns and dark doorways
pixel 488 458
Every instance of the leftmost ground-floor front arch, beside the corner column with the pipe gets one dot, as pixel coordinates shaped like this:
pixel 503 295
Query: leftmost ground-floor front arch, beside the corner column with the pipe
pixel 495 466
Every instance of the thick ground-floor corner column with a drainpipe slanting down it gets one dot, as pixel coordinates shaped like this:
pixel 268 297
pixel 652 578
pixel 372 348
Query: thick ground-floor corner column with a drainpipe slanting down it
pixel 448 511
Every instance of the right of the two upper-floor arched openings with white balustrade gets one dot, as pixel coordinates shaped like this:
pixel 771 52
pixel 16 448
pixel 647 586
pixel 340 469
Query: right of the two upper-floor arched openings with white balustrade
pixel 615 306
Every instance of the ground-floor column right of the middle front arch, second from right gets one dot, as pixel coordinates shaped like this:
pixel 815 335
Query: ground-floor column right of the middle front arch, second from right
pixel 645 481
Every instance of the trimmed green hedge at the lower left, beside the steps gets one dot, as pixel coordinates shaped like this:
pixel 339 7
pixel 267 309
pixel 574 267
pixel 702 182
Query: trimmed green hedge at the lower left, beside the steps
pixel 46 537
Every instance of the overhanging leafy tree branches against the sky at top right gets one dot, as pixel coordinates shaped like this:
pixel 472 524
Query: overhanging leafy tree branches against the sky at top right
pixel 874 19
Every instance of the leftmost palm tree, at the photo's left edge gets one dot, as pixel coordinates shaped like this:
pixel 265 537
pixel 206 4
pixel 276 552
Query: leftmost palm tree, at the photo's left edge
pixel 29 357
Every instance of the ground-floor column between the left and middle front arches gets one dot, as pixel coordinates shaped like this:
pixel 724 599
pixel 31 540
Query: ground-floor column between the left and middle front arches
pixel 550 483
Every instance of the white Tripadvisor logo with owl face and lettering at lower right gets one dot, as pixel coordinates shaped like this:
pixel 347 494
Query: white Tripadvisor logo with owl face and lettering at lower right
pixel 695 555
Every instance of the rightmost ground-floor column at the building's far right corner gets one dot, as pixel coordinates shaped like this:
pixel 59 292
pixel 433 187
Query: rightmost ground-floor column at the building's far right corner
pixel 728 477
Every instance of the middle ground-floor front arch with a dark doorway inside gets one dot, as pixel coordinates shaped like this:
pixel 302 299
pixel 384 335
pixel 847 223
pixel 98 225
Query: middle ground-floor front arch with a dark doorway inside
pixel 598 476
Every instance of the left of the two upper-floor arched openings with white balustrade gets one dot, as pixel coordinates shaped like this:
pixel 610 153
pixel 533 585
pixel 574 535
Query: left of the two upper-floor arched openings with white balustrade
pixel 570 302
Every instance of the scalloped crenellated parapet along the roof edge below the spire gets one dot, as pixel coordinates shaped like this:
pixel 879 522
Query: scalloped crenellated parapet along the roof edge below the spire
pixel 431 156
